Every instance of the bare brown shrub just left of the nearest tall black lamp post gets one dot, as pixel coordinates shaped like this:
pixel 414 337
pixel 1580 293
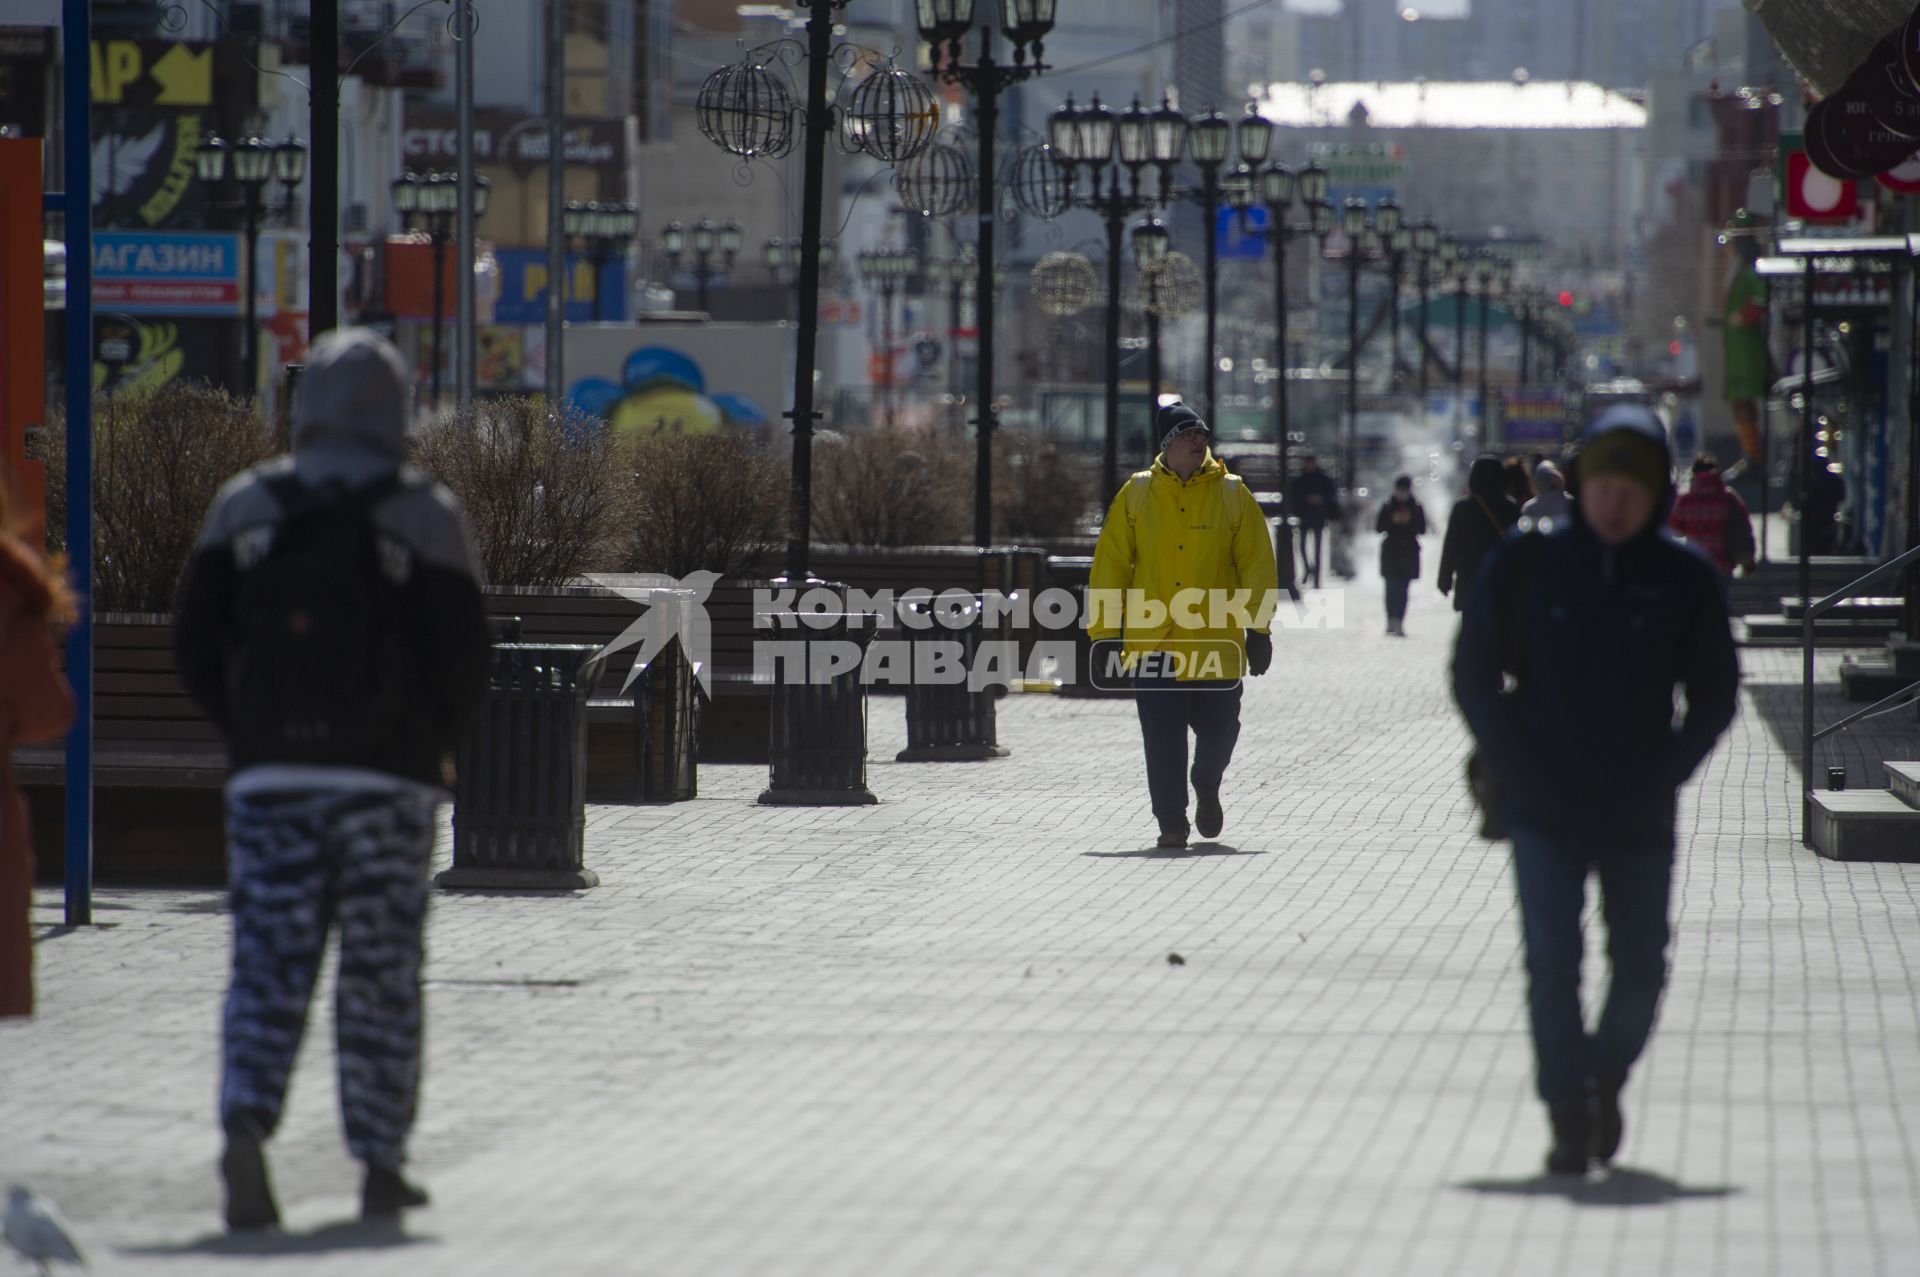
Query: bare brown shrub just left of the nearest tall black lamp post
pixel 706 502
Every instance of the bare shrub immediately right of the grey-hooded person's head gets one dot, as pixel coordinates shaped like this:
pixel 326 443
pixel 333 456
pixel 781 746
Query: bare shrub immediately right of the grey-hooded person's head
pixel 544 496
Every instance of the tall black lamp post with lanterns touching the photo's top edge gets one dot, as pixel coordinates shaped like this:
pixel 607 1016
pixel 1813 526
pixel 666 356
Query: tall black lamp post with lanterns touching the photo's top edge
pixel 946 26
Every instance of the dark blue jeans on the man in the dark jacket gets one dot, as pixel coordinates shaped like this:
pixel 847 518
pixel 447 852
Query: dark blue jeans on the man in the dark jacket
pixel 1635 888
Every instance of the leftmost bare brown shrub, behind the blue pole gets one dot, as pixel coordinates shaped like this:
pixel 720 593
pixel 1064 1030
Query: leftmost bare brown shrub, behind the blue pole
pixel 160 458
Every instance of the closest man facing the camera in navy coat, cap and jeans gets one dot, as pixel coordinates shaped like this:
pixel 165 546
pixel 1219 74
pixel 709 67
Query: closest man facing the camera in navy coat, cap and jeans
pixel 1598 623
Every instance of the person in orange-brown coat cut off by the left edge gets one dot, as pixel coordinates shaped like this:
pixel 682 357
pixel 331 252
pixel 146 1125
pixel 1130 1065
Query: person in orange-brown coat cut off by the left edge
pixel 36 706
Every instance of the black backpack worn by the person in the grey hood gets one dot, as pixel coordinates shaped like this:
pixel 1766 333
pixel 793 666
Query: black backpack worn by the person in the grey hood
pixel 318 665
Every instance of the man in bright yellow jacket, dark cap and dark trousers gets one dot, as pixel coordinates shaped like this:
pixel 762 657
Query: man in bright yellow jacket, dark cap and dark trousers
pixel 1182 598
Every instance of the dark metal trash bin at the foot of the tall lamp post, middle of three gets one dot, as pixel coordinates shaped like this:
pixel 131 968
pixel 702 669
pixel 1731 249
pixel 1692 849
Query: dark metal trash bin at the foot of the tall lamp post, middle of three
pixel 817 733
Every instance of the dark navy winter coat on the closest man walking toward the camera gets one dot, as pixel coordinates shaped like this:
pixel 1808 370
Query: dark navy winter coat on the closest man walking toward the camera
pixel 1587 748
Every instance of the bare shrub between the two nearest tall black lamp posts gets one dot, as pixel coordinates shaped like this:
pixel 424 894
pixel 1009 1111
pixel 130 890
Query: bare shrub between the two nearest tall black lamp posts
pixel 892 489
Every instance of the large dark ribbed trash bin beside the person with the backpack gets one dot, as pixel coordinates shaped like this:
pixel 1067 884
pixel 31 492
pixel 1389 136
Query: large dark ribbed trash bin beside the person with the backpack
pixel 519 794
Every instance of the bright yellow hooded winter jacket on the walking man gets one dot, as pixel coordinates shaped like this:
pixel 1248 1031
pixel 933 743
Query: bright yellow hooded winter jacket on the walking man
pixel 1184 567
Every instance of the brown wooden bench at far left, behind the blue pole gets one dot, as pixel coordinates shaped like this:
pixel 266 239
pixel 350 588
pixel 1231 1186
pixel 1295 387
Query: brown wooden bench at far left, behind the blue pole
pixel 158 767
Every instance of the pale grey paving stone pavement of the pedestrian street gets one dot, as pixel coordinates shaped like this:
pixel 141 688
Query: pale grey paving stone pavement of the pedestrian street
pixel 944 1036
